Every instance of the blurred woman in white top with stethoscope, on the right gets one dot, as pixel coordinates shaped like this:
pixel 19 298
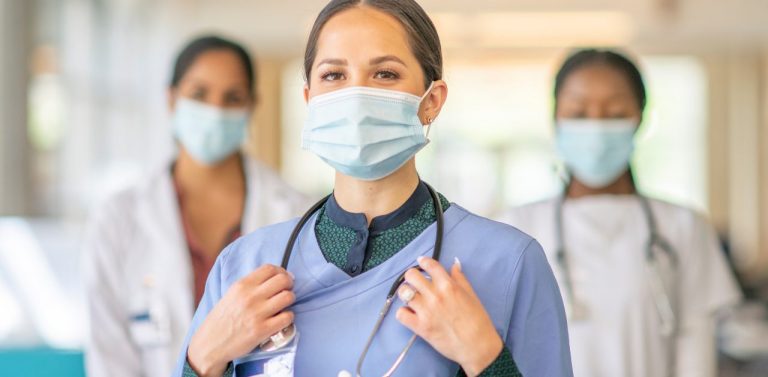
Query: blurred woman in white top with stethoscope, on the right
pixel 643 280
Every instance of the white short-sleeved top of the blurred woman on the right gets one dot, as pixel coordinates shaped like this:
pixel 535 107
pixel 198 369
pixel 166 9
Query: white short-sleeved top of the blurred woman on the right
pixel 605 238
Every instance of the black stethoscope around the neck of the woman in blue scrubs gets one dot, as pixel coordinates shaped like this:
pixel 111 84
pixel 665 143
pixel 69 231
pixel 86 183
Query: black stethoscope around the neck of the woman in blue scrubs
pixel 285 336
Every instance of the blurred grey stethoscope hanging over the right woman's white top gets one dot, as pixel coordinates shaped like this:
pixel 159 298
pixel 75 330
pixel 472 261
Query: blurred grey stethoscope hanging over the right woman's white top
pixel 661 296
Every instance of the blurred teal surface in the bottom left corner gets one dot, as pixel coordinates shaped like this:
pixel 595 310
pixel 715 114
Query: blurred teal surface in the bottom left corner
pixel 42 361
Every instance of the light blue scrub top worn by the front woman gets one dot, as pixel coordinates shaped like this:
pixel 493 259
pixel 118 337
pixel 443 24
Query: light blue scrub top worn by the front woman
pixel 335 313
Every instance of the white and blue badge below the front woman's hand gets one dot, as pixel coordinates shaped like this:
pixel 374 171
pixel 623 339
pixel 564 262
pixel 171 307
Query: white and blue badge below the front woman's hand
pixel 269 361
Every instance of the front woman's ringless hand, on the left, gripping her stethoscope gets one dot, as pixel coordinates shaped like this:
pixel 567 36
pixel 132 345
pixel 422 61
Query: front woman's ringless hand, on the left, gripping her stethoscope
pixel 250 312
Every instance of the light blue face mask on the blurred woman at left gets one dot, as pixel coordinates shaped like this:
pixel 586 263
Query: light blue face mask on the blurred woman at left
pixel 209 133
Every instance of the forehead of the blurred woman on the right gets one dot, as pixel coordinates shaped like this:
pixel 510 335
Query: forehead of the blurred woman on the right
pixel 597 81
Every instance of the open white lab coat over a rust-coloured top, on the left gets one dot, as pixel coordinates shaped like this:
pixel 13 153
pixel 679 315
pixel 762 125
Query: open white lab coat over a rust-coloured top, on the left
pixel 138 272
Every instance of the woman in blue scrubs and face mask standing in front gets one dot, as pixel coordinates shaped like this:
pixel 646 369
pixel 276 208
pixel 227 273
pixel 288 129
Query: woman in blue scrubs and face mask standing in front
pixel 488 306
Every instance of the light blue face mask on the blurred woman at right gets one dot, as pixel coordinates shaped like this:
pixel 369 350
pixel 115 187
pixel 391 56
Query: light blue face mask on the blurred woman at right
pixel 596 151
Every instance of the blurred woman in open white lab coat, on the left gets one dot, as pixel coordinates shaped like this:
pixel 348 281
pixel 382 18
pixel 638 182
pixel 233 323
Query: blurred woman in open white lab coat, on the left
pixel 149 248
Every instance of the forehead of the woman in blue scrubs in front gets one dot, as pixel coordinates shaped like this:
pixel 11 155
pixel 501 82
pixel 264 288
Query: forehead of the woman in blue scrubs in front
pixel 362 30
